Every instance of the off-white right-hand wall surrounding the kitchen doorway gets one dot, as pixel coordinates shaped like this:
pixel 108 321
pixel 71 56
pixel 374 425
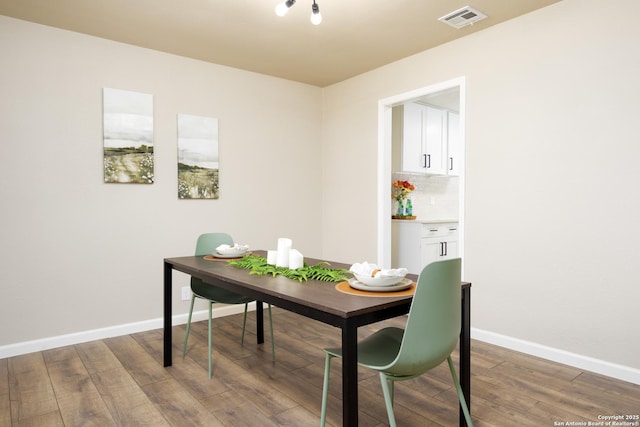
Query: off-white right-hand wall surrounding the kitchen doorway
pixel 551 230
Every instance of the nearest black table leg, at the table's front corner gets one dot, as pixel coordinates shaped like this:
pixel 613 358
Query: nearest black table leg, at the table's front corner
pixel 349 374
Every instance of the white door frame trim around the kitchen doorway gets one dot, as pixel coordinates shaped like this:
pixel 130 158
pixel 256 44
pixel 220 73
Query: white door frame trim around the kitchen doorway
pixel 451 93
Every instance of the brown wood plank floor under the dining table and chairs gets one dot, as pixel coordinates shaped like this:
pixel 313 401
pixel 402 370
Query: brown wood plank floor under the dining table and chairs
pixel 121 382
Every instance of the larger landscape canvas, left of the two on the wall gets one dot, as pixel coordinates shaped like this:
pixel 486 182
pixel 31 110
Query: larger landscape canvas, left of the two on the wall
pixel 128 137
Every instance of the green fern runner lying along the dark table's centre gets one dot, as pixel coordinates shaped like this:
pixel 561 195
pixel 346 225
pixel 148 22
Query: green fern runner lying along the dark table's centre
pixel 321 271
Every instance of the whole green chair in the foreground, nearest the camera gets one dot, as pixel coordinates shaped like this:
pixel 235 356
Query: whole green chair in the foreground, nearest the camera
pixel 430 335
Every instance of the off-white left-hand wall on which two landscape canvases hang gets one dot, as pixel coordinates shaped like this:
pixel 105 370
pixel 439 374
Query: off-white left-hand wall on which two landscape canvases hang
pixel 77 254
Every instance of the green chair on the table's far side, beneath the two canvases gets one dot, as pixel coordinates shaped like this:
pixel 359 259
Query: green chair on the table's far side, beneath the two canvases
pixel 206 245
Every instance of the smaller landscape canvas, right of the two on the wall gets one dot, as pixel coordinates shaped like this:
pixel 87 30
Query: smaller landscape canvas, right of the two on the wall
pixel 198 162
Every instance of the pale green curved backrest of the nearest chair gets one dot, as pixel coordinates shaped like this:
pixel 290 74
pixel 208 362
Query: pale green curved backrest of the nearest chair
pixel 433 326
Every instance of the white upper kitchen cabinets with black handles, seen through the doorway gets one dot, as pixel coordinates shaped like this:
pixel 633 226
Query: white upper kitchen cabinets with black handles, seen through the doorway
pixel 425 140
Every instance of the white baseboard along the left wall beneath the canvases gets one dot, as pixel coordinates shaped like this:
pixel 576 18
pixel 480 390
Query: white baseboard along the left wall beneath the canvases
pixel 114 331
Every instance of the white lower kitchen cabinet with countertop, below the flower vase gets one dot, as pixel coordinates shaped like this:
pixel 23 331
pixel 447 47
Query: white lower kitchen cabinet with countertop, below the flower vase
pixel 416 244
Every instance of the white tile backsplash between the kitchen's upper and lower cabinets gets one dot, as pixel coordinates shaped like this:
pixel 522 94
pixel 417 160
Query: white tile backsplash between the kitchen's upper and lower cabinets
pixel 435 197
